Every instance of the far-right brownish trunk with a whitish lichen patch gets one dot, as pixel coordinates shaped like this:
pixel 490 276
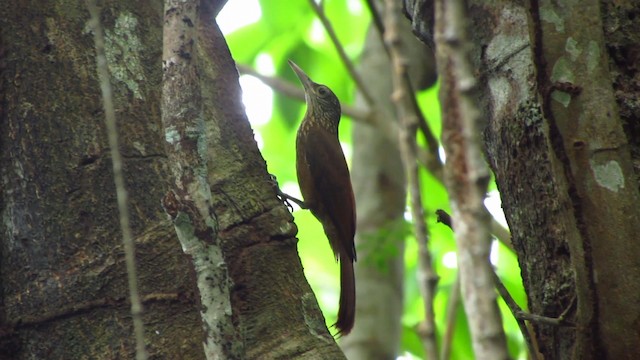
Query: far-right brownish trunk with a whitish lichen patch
pixel 586 136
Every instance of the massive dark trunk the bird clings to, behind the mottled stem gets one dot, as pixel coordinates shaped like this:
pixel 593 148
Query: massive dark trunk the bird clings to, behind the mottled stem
pixel 62 271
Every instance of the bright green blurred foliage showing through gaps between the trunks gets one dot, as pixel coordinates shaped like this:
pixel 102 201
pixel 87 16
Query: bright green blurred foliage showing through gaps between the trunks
pixel 290 30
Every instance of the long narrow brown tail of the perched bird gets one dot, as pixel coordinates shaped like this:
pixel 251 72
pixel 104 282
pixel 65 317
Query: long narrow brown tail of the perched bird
pixel 347 311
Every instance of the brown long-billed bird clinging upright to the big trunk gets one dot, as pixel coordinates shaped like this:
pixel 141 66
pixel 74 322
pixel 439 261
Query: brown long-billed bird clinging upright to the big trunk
pixel 325 184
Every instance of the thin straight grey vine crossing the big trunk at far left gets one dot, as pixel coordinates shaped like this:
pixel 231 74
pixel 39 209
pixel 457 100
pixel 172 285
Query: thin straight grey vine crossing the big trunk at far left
pixel 121 191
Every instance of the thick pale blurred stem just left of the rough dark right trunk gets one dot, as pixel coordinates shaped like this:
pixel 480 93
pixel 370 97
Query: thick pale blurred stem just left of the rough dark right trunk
pixel 467 179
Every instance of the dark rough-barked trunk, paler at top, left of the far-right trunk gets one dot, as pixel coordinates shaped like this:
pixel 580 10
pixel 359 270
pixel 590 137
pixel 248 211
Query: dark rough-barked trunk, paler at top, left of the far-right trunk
pixel 534 199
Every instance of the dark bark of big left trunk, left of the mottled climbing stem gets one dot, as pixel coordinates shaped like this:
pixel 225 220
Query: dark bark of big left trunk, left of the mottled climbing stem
pixel 64 289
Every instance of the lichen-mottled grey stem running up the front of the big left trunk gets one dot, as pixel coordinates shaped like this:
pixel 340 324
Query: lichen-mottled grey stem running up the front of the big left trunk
pixel 188 201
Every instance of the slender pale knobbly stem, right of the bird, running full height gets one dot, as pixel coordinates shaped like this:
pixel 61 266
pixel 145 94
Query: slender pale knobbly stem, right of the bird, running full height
pixel 408 149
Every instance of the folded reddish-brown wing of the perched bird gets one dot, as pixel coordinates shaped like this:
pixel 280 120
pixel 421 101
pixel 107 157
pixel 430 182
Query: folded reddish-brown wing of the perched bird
pixel 335 208
